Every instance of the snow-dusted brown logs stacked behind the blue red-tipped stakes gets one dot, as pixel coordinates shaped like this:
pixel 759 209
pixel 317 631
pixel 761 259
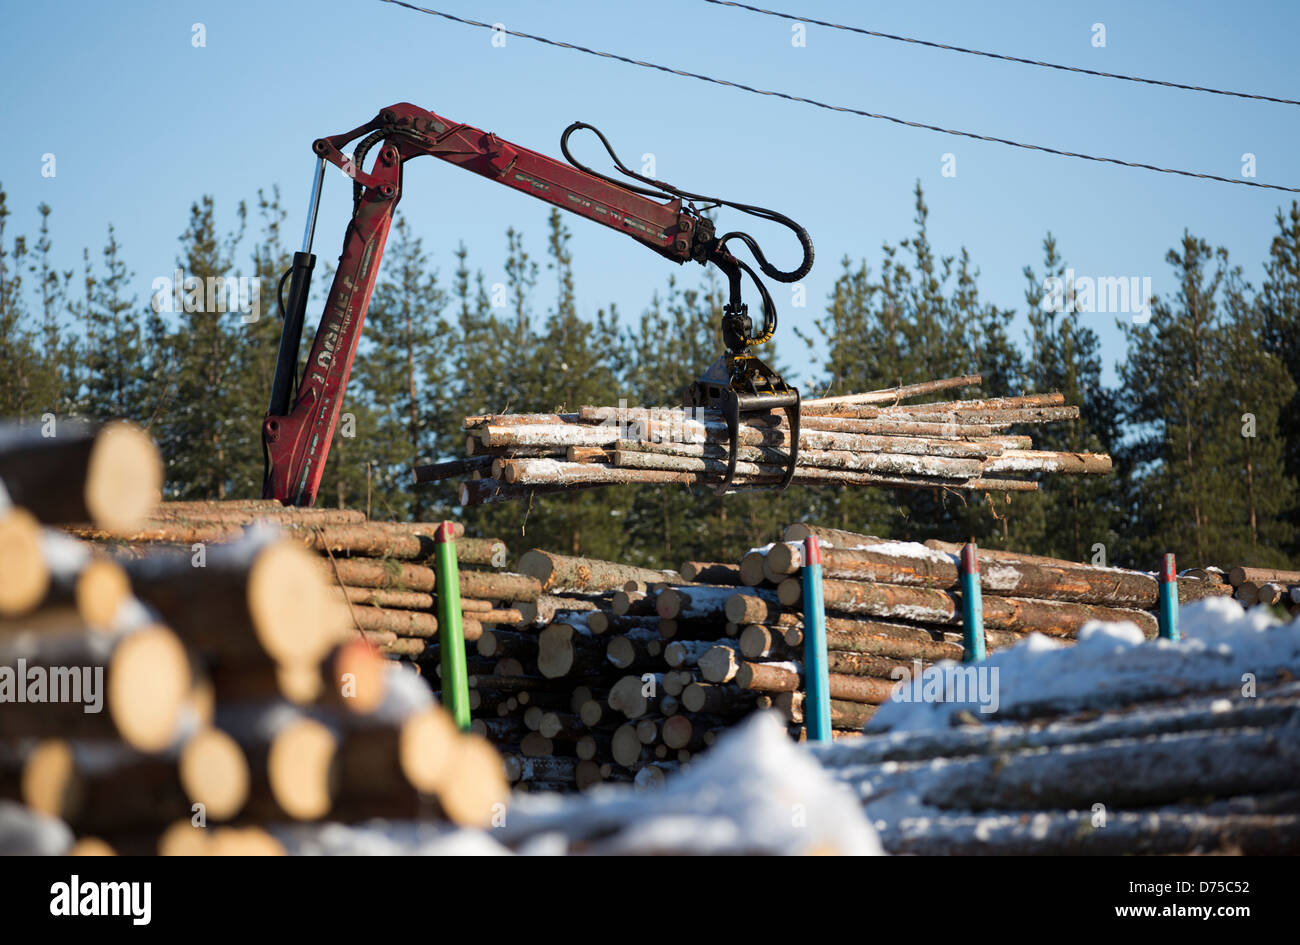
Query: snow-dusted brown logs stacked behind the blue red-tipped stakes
pixel 894 609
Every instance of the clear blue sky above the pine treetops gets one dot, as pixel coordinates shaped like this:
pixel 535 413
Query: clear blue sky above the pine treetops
pixel 142 124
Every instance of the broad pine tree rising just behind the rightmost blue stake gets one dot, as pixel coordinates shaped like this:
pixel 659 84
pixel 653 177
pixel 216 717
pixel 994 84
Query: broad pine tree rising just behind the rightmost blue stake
pixel 1184 402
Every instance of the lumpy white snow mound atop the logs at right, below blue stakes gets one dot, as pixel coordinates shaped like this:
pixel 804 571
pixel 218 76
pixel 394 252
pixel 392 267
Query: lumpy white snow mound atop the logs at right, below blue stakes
pixel 1111 665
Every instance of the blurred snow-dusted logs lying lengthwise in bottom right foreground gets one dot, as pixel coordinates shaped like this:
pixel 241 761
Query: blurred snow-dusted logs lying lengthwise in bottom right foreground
pixel 1199 773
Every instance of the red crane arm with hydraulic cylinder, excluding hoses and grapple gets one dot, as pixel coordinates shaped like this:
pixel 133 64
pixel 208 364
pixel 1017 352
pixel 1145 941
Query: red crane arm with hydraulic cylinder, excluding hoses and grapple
pixel 297 440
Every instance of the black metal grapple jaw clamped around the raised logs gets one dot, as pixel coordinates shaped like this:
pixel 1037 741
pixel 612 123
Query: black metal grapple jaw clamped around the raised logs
pixel 738 385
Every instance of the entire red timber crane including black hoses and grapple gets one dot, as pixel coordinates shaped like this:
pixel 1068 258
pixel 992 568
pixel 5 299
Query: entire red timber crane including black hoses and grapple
pixel 304 413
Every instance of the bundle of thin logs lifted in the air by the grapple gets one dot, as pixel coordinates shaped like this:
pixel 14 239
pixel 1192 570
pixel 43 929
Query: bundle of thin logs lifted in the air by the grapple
pixel 863 440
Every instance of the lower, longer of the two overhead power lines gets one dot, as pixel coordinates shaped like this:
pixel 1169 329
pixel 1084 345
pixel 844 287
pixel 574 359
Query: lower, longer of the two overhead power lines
pixel 847 110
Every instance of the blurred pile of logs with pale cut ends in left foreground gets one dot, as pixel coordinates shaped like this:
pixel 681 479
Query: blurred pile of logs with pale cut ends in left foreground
pixel 197 699
